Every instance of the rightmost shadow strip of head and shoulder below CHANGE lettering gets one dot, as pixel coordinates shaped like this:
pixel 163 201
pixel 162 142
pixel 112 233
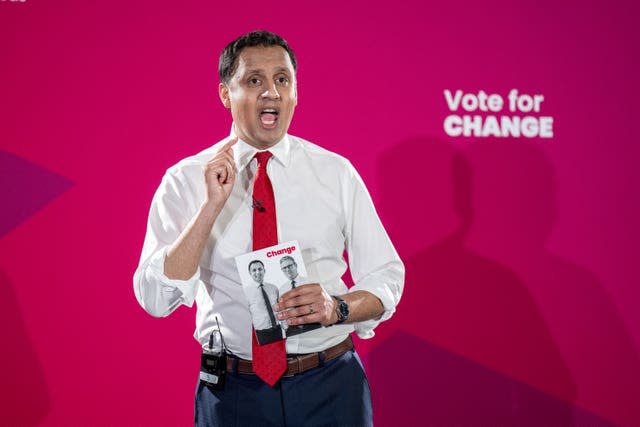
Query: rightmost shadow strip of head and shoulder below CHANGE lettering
pixel 515 211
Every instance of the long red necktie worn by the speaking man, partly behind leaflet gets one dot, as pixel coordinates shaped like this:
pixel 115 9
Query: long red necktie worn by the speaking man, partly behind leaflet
pixel 269 360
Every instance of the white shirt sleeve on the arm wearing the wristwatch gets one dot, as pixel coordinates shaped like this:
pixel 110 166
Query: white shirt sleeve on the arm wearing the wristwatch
pixel 373 261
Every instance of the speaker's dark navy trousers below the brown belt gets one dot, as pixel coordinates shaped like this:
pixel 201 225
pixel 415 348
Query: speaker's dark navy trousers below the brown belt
pixel 336 394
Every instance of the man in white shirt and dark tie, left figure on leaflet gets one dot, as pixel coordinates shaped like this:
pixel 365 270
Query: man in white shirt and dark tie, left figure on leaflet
pixel 261 299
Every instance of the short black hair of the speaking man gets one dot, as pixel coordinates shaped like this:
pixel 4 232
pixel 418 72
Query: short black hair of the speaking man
pixel 229 56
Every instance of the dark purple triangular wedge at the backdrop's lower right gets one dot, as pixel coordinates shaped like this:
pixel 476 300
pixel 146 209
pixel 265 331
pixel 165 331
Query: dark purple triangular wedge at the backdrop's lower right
pixel 439 388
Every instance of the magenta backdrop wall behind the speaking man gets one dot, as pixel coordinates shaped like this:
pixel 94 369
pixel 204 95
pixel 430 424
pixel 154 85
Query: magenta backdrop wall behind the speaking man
pixel 522 288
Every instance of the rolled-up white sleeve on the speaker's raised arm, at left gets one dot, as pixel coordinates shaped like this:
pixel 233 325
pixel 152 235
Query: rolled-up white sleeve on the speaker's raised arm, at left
pixel 172 207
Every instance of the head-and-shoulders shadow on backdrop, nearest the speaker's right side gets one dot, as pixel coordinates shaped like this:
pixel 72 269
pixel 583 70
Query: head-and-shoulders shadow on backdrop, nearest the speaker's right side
pixel 477 351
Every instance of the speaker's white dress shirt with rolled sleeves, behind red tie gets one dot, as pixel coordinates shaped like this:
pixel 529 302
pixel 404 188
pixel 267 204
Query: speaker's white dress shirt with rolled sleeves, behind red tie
pixel 321 202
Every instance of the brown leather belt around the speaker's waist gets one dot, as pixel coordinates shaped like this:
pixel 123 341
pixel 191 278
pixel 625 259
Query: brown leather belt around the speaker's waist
pixel 295 364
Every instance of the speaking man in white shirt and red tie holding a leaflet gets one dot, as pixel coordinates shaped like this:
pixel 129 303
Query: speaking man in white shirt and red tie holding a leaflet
pixel 262 186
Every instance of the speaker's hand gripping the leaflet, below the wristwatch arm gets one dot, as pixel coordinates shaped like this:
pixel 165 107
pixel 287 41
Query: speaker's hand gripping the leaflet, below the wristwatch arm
pixel 307 304
